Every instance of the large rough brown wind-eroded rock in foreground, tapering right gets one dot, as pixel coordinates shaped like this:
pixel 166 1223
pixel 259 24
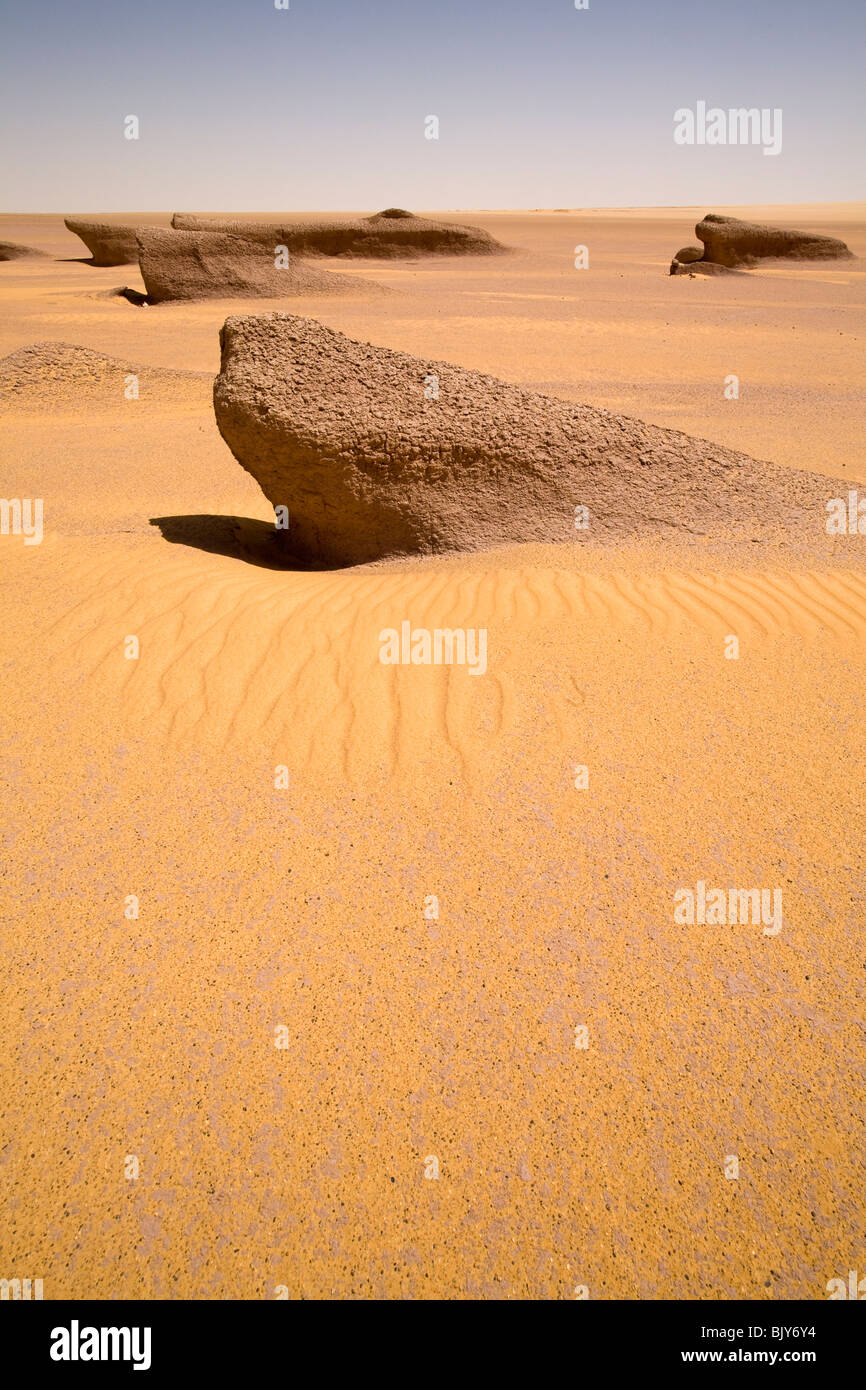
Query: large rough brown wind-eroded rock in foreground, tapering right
pixel 354 443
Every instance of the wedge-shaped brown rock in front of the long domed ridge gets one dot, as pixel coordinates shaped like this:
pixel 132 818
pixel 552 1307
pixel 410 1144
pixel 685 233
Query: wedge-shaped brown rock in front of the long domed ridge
pixel 177 265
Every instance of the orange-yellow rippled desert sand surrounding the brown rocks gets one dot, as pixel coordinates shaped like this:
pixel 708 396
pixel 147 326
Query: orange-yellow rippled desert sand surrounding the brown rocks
pixel 301 917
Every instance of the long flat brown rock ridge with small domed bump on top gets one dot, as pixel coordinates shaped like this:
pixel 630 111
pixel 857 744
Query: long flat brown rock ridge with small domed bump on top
pixel 391 234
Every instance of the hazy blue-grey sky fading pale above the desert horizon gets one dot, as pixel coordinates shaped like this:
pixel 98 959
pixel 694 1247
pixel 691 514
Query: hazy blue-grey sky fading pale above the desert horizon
pixel 325 106
